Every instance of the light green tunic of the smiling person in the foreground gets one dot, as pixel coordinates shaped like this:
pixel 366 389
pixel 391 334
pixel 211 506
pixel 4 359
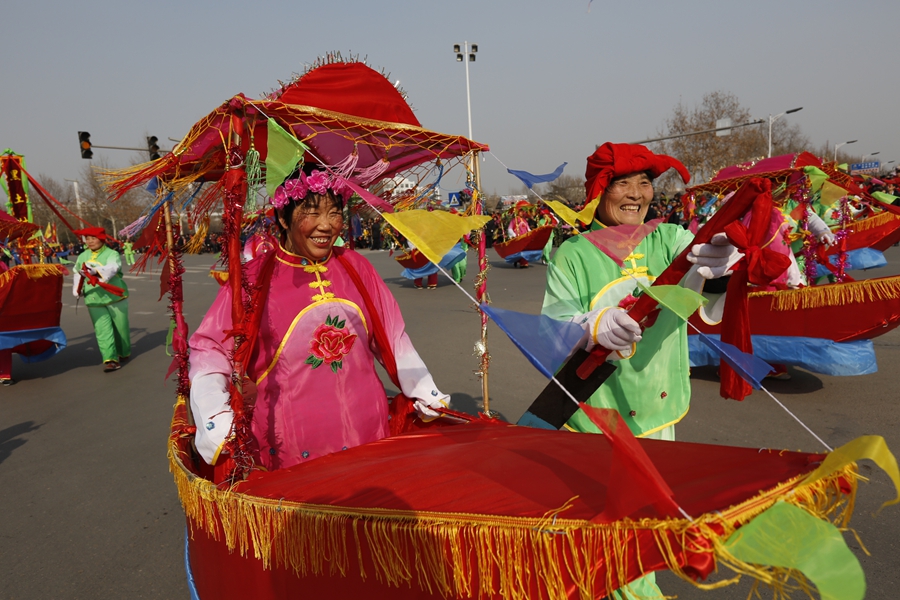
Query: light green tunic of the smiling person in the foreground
pixel 651 389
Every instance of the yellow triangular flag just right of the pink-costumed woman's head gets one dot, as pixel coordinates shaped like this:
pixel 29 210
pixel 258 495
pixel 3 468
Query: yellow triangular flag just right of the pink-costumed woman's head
pixel 434 233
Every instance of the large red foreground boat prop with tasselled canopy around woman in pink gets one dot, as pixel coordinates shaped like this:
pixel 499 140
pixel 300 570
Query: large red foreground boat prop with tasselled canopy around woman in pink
pixel 535 520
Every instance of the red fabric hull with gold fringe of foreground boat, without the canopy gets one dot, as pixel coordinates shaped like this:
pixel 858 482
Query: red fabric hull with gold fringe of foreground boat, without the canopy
pixel 531 521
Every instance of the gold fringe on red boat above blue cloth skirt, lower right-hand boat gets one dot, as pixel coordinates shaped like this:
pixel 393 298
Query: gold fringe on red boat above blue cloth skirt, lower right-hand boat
pixel 834 294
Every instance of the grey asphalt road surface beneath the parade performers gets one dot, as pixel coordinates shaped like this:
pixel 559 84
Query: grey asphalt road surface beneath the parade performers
pixel 89 510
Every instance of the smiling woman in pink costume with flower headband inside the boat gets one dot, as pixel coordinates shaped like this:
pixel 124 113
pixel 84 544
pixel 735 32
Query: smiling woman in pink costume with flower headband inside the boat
pixel 313 363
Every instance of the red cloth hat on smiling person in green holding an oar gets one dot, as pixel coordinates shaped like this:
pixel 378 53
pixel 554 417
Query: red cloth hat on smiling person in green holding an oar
pixel 612 160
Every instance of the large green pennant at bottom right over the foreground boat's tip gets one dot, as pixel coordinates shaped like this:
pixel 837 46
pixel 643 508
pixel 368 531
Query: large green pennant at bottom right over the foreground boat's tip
pixel 789 537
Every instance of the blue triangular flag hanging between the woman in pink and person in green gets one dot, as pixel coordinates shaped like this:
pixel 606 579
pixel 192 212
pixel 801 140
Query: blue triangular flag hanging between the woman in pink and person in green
pixel 545 342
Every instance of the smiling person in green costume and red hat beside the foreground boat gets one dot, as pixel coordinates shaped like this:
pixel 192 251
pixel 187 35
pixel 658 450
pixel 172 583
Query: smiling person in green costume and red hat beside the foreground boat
pixel 651 386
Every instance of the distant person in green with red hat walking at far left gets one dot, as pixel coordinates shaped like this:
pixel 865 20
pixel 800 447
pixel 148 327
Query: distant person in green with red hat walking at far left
pixel 98 277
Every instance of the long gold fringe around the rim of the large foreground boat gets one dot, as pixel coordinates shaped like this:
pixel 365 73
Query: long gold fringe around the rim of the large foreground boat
pixel 469 555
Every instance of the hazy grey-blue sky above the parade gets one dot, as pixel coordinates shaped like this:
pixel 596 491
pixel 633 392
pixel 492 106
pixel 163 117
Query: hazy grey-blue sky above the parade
pixel 552 78
